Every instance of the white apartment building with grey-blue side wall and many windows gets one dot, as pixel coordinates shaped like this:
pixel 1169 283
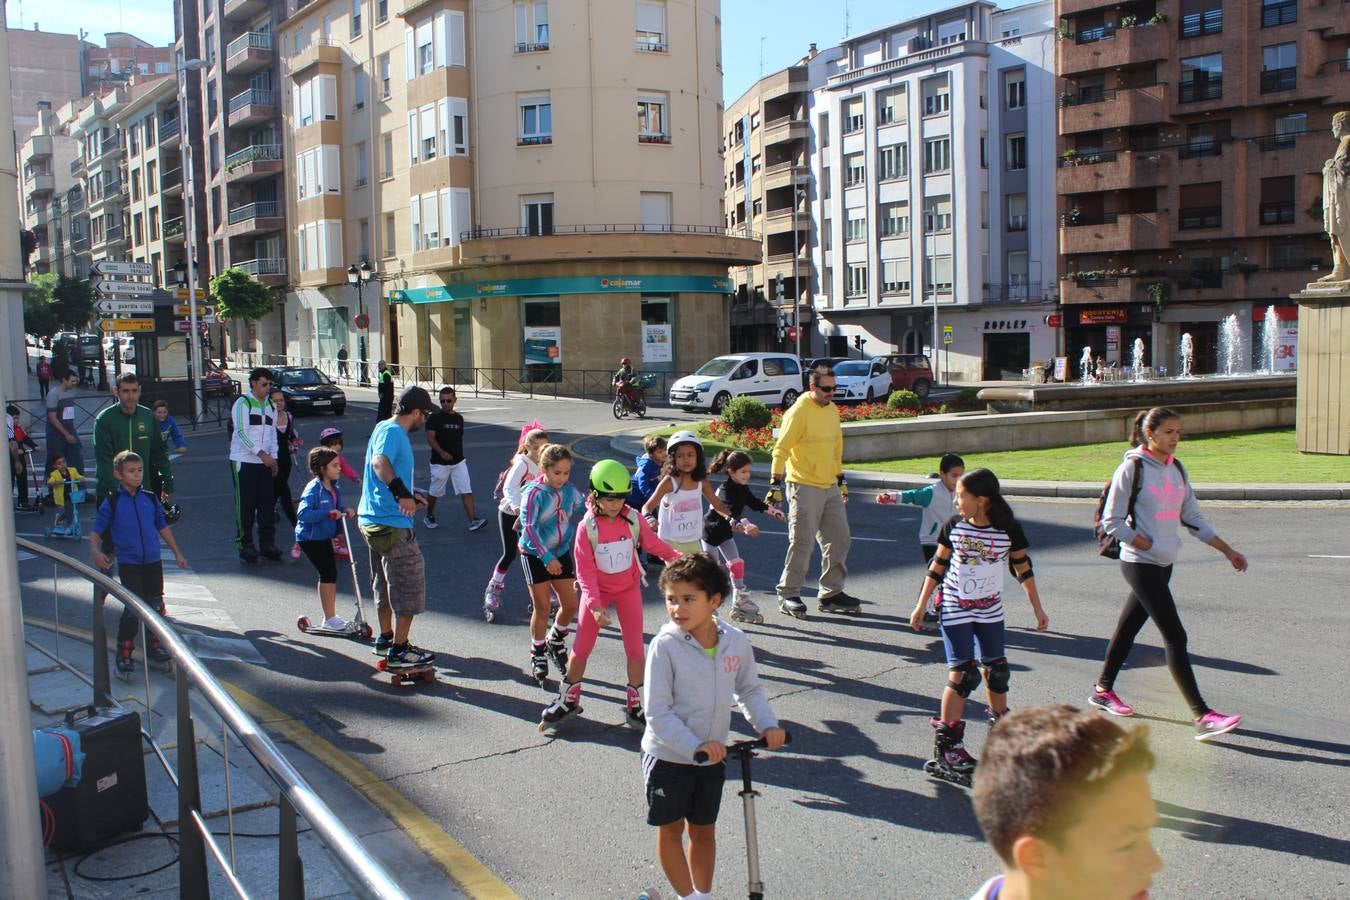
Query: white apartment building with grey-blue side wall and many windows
pixel 932 146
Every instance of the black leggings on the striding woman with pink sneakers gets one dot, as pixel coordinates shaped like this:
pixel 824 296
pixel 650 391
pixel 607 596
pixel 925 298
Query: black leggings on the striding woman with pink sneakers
pixel 1152 598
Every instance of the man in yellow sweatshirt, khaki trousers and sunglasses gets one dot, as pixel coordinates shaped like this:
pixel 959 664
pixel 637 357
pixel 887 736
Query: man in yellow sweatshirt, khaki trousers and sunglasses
pixel 811 451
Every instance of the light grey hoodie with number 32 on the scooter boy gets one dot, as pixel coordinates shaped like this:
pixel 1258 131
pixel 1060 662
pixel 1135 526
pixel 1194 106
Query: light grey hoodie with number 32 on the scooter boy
pixel 688 696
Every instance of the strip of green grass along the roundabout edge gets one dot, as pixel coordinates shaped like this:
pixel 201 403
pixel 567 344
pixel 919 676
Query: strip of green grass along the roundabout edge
pixel 1243 458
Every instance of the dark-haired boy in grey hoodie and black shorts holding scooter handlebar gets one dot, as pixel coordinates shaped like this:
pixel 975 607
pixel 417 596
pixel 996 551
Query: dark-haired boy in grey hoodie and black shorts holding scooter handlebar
pixel 689 706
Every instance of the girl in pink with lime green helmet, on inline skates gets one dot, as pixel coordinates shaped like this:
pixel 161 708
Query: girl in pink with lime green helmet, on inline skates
pixel 610 567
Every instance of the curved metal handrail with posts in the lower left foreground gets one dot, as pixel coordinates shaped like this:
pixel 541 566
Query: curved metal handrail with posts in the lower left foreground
pixel 296 797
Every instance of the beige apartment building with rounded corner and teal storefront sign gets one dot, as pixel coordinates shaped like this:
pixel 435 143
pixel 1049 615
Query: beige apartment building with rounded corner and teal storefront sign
pixel 484 160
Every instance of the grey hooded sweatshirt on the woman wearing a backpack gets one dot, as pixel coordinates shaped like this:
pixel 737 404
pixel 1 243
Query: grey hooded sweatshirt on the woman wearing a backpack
pixel 1164 500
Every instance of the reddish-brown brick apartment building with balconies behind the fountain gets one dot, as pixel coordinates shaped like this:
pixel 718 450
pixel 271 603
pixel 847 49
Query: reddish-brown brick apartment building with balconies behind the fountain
pixel 1193 136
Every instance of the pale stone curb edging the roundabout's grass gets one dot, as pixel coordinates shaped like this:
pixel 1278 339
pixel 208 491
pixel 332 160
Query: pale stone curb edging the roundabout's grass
pixel 626 445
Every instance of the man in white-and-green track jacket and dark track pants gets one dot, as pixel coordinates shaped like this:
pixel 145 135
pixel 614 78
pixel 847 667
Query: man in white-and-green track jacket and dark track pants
pixel 253 458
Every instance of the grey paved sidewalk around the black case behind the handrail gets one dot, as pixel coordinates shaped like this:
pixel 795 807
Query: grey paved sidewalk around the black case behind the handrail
pixel 148 866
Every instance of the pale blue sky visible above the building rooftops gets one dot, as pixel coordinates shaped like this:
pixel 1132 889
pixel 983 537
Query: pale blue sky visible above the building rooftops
pixel 750 34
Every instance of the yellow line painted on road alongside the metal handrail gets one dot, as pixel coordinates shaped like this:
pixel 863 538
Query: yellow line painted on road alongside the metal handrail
pixel 473 878
